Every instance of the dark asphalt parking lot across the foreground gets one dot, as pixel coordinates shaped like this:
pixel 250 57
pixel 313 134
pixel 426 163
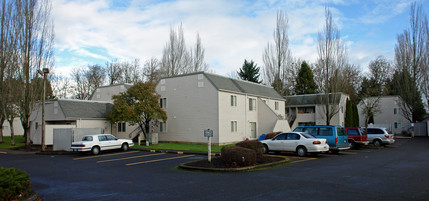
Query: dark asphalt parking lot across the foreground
pixel 396 172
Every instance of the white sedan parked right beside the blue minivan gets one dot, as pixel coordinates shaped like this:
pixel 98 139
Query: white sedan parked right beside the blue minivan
pixel 301 143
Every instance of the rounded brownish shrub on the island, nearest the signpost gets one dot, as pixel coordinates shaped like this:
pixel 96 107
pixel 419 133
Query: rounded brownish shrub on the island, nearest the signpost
pixel 238 156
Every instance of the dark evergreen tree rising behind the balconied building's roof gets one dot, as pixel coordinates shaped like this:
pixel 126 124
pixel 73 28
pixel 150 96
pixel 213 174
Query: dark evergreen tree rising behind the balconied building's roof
pixel 305 80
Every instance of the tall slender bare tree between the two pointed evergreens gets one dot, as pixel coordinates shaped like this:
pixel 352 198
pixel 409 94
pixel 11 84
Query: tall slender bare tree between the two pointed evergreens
pixel 277 56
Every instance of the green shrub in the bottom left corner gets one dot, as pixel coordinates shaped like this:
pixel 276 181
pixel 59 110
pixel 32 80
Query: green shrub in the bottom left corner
pixel 14 184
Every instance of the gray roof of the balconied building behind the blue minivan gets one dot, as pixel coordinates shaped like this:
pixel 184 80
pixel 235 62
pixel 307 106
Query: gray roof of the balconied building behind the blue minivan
pixel 312 99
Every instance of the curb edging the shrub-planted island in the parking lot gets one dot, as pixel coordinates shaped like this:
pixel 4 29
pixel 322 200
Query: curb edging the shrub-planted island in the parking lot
pixel 240 169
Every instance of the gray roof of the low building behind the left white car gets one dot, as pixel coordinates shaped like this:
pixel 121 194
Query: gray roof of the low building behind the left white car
pixel 81 109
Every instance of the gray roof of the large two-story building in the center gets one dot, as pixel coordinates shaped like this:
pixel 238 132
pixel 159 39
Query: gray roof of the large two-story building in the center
pixel 240 86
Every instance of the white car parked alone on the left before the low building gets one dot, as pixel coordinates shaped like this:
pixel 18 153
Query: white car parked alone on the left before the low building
pixel 100 142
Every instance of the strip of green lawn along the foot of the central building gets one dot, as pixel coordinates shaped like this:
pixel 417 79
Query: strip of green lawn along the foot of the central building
pixel 182 147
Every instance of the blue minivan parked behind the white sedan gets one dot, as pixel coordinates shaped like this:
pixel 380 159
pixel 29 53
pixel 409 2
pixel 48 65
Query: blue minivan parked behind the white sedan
pixel 335 135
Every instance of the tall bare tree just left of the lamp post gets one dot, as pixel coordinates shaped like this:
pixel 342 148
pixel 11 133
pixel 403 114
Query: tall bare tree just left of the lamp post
pixel 35 32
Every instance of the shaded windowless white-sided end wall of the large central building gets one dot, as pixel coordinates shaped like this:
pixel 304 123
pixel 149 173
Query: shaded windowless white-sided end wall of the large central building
pixel 191 109
